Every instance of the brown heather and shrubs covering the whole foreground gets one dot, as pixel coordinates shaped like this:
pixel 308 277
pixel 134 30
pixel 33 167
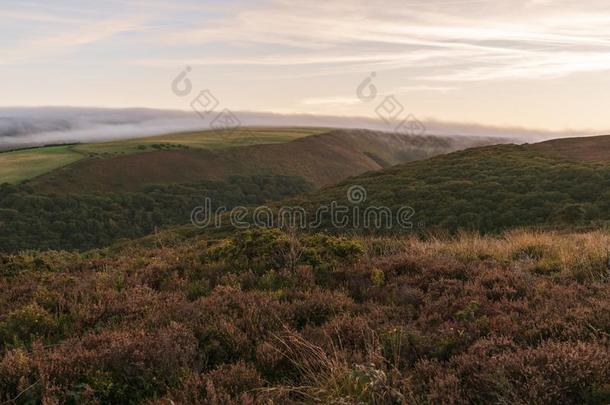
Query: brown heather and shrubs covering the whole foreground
pixel 274 316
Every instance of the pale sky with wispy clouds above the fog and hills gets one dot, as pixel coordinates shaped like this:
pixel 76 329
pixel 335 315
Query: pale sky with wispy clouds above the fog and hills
pixel 541 64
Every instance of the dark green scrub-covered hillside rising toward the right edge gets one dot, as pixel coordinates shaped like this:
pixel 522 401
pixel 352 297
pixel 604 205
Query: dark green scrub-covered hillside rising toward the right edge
pixel 489 189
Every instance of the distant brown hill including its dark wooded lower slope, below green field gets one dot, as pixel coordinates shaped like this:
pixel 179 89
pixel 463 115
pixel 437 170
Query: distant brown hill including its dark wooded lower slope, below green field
pixel 118 194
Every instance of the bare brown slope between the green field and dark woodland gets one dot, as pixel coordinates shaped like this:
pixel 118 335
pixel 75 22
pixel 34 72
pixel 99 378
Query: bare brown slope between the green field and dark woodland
pixel 321 160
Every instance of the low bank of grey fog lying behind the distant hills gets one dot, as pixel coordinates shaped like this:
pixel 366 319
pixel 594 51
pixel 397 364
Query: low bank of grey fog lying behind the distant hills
pixel 24 127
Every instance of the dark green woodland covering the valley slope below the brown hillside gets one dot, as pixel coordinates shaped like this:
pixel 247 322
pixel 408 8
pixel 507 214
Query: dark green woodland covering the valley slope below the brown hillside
pixel 33 220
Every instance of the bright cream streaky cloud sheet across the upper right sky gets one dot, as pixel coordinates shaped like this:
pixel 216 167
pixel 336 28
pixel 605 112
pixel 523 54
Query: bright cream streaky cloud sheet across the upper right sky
pixel 459 40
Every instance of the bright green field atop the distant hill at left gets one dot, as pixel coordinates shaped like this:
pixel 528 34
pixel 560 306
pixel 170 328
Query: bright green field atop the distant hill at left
pixel 17 166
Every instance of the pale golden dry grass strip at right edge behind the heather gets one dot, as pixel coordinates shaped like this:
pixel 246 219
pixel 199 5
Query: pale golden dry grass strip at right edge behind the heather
pixel 580 255
